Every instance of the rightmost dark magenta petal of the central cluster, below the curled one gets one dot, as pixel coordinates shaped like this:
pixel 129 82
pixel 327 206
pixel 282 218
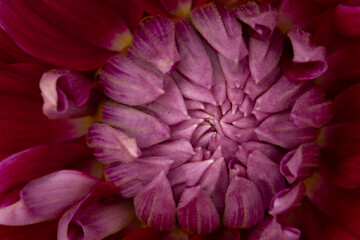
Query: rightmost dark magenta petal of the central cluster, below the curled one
pixel 311 109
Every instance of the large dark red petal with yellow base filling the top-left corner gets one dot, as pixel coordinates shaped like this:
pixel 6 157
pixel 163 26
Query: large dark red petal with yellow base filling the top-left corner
pixel 32 26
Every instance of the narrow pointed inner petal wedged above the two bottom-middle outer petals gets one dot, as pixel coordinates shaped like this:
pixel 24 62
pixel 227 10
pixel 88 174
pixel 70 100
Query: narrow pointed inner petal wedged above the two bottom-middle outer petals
pixel 215 182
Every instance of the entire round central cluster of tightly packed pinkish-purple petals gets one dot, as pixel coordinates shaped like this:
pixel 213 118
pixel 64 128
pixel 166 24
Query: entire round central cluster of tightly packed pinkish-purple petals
pixel 209 125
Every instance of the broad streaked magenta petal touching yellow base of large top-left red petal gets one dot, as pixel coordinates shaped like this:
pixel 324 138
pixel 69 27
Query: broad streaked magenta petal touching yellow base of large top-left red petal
pixel 154 42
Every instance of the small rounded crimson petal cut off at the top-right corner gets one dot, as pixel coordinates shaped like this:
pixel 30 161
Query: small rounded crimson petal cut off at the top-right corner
pixel 347 20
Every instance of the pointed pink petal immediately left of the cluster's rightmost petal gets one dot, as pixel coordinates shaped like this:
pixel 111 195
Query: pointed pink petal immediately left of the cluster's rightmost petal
pixel 281 96
